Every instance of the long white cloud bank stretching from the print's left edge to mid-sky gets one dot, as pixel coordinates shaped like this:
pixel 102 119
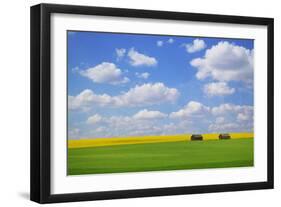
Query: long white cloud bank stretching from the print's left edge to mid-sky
pixel 140 95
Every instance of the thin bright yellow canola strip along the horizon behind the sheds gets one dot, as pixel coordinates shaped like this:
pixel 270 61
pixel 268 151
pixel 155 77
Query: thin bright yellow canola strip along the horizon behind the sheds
pixel 97 142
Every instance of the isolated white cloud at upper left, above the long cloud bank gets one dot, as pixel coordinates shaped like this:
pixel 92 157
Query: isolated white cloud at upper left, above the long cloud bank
pixel 105 73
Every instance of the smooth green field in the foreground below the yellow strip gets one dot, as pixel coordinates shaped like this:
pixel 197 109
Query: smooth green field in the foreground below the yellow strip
pixel 161 156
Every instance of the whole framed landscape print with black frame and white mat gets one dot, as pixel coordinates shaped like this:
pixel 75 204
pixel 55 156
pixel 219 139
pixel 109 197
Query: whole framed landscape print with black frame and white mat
pixel 132 103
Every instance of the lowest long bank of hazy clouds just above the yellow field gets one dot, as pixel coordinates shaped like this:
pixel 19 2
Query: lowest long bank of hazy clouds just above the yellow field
pixel 194 117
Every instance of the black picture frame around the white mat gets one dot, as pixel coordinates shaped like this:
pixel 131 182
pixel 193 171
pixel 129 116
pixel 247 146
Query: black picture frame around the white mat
pixel 41 98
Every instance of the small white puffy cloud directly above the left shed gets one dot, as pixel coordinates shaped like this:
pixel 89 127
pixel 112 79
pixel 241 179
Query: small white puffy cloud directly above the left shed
pixel 192 109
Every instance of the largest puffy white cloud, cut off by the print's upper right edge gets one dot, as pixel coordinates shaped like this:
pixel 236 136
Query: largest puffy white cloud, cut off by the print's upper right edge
pixel 225 62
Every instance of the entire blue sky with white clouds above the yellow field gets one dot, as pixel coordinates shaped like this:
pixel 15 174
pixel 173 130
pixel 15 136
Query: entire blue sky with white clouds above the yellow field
pixel 128 84
